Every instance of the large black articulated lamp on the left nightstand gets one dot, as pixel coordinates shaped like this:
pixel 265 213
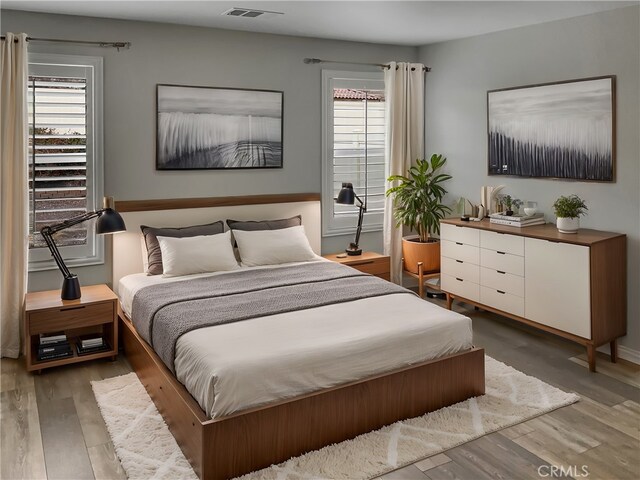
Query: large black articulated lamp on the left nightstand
pixel 109 221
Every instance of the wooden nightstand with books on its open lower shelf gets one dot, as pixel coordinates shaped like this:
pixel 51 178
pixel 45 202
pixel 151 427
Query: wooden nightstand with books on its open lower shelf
pixel 95 312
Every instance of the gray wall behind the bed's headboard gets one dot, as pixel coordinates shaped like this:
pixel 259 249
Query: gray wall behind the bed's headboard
pixel 163 53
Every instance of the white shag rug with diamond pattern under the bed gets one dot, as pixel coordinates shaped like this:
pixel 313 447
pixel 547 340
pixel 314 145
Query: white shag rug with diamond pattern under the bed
pixel 147 449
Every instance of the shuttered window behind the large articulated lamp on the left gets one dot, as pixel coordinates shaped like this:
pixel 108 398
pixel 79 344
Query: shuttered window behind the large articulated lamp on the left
pixel 65 155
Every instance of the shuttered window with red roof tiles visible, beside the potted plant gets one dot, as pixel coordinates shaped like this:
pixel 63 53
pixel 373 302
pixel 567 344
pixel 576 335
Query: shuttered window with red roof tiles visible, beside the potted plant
pixel 353 148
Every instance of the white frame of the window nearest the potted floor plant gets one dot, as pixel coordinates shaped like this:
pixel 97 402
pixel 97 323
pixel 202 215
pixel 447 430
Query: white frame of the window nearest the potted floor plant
pixel 345 224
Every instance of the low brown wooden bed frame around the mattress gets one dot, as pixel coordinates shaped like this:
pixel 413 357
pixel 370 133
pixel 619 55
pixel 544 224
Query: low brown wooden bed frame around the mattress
pixel 236 444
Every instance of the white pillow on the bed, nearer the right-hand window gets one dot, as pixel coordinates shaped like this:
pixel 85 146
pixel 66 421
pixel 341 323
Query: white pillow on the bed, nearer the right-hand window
pixel 272 247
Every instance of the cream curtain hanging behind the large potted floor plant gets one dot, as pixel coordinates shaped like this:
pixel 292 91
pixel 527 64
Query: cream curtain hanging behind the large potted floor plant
pixel 404 94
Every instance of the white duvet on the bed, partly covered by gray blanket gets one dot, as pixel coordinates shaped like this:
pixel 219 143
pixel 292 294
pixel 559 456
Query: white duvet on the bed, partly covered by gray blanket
pixel 236 366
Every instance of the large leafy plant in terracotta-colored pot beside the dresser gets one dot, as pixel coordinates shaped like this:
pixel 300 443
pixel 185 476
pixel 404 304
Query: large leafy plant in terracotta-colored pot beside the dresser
pixel 418 205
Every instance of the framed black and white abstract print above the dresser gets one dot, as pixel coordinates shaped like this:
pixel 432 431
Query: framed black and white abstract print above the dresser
pixel 562 130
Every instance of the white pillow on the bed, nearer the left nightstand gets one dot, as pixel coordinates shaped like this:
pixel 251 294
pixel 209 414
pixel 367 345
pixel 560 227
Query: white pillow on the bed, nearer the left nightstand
pixel 200 254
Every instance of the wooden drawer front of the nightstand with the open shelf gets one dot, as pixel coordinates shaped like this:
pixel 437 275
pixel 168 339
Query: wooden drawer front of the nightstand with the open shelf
pixel 64 318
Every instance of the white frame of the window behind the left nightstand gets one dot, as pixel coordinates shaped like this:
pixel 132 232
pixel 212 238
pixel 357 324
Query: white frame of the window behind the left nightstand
pixel 92 253
